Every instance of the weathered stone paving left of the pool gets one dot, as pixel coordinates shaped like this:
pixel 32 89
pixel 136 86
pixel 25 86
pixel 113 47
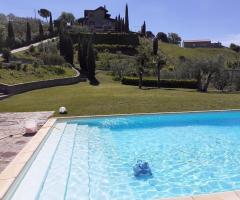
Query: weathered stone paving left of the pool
pixel 12 138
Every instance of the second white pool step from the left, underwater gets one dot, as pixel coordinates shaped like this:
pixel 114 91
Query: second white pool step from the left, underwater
pixel 58 174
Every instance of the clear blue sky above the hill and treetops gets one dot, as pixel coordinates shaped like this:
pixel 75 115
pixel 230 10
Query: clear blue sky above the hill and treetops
pixel 192 19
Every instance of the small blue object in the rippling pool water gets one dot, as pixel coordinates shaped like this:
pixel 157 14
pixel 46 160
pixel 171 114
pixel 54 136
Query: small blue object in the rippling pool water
pixel 142 169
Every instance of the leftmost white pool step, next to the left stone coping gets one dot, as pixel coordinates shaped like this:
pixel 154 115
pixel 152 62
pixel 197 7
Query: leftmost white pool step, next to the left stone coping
pixel 29 187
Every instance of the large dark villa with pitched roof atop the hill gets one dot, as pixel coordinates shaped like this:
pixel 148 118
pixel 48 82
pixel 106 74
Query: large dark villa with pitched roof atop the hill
pixel 98 20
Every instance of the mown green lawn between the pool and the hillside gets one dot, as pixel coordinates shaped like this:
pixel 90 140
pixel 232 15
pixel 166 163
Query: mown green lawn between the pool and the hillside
pixel 113 98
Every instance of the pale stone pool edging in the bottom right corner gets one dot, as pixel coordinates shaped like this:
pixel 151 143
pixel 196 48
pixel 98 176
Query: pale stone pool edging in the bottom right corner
pixel 233 195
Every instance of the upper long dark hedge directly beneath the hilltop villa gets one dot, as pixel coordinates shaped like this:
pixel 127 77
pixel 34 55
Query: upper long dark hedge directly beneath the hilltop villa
pixel 108 38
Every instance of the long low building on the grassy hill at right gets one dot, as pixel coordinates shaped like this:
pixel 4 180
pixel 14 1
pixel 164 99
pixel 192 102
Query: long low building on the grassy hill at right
pixel 201 44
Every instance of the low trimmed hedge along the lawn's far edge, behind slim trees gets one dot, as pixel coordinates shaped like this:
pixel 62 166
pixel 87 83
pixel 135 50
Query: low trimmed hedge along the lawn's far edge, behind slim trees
pixel 167 83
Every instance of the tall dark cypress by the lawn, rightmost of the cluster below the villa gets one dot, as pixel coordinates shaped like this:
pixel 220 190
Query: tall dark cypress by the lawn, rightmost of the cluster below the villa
pixel 91 63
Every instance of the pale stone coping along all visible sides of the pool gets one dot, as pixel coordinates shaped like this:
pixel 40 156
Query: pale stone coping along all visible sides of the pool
pixel 12 172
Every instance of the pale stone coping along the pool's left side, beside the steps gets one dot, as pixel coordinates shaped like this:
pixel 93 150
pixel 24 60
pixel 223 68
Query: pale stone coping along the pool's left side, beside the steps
pixel 11 173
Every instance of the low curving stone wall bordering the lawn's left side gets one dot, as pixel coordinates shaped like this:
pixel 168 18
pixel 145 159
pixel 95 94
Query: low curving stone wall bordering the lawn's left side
pixel 24 87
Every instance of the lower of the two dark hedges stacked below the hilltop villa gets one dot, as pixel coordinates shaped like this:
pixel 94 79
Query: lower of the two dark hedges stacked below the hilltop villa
pixel 125 49
